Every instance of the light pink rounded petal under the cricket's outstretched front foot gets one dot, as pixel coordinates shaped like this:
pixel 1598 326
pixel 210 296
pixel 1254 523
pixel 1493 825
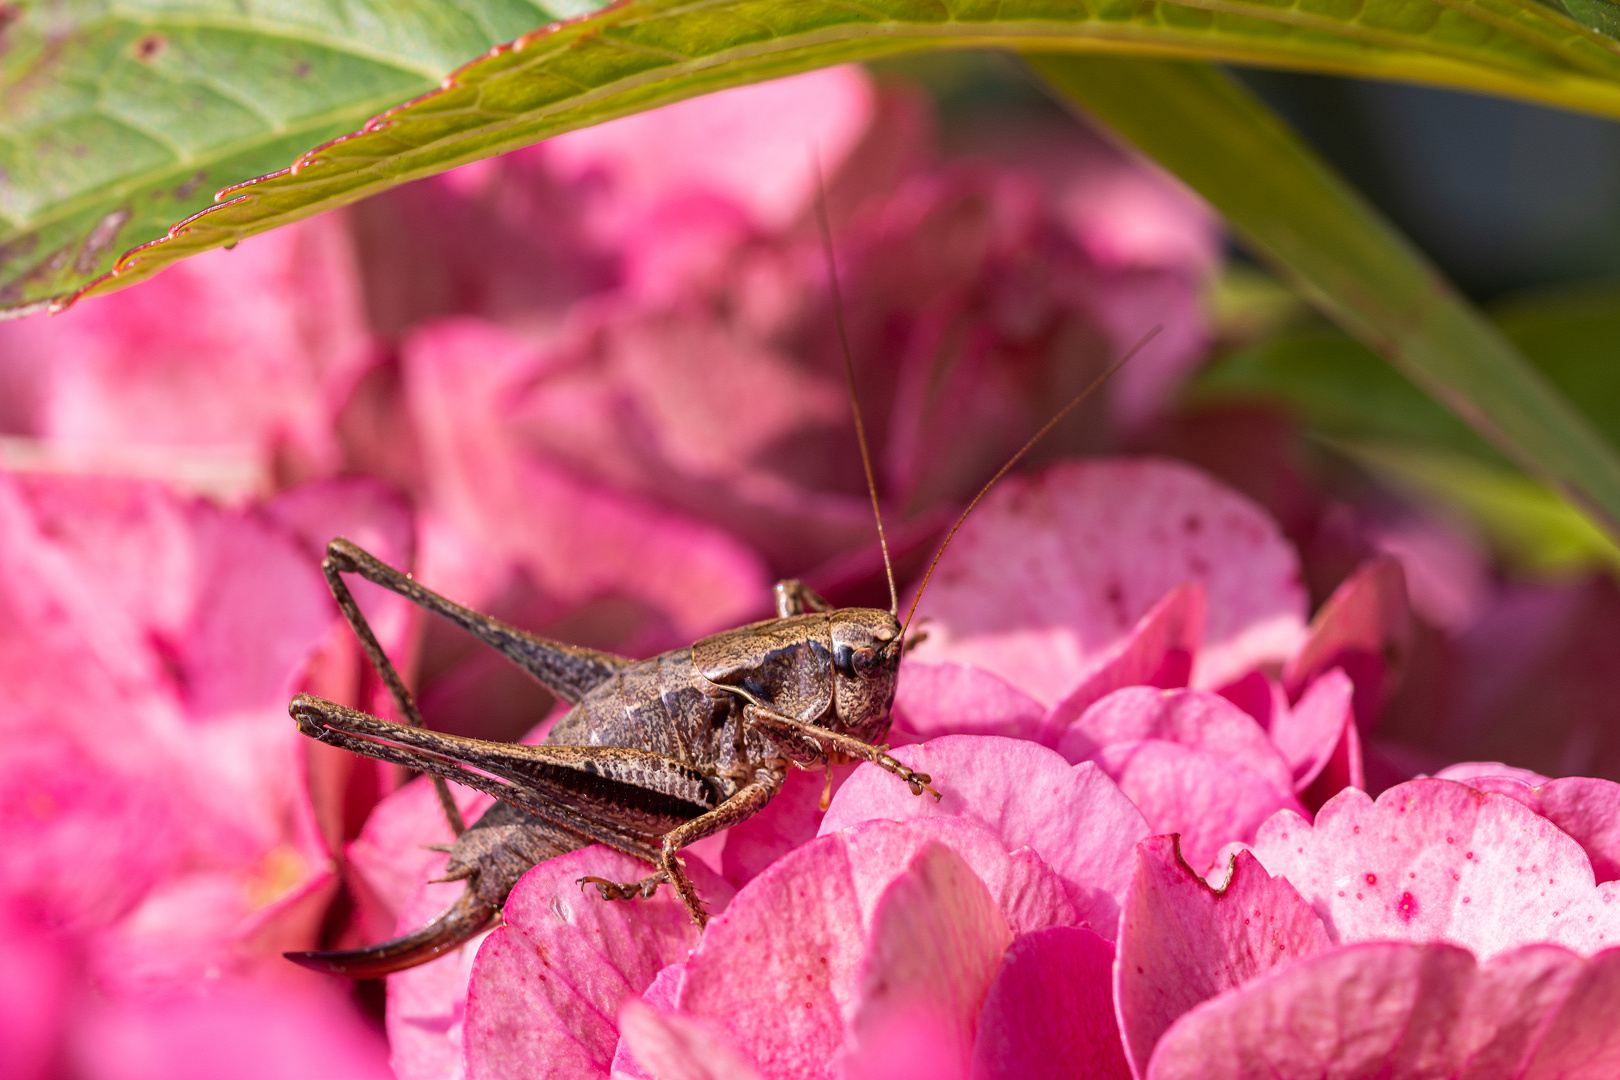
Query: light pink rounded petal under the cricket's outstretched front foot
pixel 1073 817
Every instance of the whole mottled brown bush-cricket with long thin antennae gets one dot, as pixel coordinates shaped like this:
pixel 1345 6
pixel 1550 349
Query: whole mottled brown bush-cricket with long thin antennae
pixel 657 754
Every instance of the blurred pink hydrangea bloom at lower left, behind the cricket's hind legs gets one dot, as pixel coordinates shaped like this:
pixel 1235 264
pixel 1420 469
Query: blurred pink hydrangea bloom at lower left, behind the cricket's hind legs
pixel 163 848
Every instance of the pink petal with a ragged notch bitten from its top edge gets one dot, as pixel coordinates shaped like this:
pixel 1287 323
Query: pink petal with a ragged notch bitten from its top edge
pixel 1182 943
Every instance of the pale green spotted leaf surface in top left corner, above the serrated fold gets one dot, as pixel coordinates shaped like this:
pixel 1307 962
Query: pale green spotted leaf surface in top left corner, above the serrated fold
pixel 117 121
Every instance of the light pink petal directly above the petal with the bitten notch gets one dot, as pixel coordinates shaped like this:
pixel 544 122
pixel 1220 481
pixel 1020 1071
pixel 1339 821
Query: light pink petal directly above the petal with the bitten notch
pixel 1209 801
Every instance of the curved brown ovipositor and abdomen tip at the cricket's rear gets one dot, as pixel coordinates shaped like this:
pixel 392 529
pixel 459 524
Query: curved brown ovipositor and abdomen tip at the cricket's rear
pixel 492 856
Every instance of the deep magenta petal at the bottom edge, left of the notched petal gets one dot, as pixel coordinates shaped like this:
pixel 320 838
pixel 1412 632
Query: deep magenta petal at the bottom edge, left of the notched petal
pixel 1051 1011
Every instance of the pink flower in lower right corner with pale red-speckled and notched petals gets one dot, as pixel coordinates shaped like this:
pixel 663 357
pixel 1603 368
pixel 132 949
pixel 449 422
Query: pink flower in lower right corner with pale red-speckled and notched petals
pixel 1454 932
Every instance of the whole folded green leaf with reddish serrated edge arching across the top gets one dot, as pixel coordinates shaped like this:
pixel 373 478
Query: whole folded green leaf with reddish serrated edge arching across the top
pixel 114 137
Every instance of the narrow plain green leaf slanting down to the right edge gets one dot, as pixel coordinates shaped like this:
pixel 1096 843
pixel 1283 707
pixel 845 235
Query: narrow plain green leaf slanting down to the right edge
pixel 1342 255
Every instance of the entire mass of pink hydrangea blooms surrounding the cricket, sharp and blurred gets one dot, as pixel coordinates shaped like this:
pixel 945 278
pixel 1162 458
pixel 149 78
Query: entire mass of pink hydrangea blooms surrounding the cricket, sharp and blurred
pixel 597 389
